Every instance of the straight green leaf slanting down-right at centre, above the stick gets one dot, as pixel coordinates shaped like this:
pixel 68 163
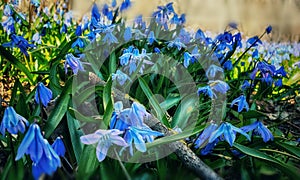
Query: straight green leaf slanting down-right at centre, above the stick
pixel 153 101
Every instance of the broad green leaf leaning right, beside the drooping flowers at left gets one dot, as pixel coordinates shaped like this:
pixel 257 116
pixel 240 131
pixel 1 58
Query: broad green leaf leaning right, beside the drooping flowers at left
pixel 59 110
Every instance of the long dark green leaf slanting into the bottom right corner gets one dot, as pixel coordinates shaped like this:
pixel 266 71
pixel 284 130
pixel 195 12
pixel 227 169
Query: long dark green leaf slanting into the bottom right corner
pixel 291 171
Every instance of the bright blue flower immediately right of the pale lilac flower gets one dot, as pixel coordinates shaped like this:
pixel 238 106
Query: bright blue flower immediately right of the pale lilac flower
pixel 139 137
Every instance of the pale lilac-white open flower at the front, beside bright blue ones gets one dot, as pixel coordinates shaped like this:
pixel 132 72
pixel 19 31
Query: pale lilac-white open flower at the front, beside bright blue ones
pixel 105 139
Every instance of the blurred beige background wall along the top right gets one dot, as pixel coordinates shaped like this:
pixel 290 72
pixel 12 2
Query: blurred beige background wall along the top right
pixel 213 15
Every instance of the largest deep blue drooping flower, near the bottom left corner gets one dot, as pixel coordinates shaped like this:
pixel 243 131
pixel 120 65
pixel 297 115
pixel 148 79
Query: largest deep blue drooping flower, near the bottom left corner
pixel 44 158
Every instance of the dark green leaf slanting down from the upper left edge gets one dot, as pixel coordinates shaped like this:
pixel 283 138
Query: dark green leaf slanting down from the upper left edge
pixel 13 60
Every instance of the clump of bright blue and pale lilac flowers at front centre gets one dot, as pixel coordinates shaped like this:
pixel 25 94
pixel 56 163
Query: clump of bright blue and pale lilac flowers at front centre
pixel 127 127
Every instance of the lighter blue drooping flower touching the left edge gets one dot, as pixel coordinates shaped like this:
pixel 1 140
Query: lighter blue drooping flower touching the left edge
pixel 12 122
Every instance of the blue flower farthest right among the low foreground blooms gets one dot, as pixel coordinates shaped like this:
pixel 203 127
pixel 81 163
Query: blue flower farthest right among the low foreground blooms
pixel 260 129
